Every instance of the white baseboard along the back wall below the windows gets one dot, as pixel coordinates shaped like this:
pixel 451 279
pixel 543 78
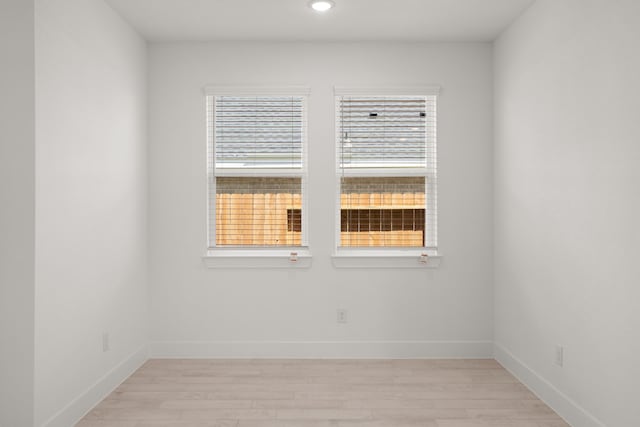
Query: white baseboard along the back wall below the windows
pixel 321 349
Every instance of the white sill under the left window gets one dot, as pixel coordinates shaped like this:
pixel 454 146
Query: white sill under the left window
pixel 257 258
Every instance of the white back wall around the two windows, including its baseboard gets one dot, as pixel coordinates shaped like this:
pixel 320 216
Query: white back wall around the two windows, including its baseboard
pixel 196 311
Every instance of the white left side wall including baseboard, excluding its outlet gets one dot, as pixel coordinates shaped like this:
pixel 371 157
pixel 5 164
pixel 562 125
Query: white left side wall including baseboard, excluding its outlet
pixel 91 205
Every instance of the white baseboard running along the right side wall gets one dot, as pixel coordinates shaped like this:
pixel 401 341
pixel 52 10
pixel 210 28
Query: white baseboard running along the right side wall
pixel 562 404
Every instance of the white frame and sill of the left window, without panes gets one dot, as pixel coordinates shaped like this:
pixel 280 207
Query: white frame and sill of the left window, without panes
pixel 256 257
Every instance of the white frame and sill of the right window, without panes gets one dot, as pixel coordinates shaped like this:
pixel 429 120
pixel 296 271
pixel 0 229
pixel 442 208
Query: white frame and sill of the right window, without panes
pixel 386 257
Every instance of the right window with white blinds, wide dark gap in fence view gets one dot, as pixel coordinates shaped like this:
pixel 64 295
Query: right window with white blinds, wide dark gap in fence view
pixel 387 171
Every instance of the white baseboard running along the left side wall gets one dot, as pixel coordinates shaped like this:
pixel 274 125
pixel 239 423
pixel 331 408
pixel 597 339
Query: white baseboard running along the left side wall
pixel 78 407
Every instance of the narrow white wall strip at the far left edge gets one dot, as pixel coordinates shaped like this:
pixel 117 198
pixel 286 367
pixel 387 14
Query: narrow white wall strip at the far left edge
pixel 17 201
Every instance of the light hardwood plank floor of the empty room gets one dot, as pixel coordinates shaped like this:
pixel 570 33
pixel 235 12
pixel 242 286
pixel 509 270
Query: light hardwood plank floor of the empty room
pixel 321 393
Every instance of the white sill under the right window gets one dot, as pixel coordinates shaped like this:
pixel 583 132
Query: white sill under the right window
pixel 363 258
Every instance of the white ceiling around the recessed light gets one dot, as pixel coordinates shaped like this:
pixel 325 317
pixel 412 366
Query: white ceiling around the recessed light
pixel 294 20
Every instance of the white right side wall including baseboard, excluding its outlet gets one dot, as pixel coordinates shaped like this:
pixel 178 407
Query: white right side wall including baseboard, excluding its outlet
pixel 567 203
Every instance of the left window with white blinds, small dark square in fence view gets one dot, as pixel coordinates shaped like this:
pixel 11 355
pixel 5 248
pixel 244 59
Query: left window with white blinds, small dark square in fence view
pixel 256 168
